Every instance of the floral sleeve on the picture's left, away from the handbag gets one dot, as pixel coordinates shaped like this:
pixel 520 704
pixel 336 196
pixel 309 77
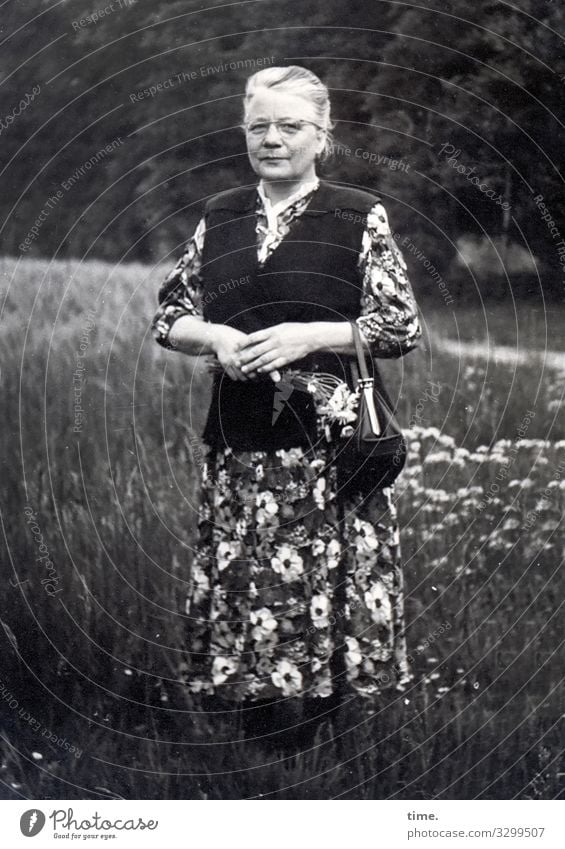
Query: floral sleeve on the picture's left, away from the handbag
pixel 181 291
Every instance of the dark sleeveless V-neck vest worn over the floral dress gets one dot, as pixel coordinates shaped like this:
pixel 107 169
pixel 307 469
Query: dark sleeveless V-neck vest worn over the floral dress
pixel 312 275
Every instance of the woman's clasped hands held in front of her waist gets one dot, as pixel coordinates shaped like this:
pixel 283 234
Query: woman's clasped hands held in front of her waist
pixel 245 356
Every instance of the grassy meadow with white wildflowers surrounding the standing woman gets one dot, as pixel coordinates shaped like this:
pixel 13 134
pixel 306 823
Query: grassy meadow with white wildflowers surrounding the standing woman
pixel 99 485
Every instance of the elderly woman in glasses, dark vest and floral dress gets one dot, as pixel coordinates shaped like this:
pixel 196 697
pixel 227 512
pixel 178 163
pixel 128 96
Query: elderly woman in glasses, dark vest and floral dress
pixel 296 589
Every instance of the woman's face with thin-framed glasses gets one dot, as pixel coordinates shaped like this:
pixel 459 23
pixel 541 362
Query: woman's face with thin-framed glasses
pixel 276 153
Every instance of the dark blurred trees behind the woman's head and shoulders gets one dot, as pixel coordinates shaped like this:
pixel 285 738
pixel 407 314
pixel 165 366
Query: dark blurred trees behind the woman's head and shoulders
pixel 138 115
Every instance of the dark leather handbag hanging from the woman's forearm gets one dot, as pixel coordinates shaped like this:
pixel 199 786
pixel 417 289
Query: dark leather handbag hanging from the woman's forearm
pixel 374 453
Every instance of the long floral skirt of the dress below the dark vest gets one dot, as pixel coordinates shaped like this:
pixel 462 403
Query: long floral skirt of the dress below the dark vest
pixel 294 591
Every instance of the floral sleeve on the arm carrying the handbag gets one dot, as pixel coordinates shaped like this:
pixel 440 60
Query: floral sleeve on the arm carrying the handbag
pixel 389 314
